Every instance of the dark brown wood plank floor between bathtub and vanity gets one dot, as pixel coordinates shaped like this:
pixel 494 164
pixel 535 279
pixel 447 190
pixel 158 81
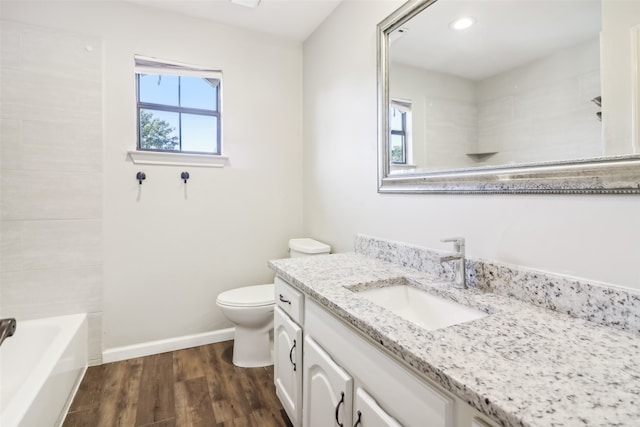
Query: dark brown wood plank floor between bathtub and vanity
pixel 187 388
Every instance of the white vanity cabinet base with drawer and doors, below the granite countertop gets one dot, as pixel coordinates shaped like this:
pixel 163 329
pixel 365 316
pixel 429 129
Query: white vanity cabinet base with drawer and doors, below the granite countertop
pixel 328 374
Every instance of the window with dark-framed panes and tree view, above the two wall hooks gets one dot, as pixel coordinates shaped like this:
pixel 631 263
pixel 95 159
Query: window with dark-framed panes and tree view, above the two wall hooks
pixel 178 107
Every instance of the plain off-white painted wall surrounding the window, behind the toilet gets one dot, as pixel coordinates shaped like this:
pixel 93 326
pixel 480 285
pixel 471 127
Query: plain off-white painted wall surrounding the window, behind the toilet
pixel 168 252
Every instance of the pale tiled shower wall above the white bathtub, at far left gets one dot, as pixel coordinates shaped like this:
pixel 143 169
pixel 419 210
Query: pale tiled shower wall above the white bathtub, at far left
pixel 51 174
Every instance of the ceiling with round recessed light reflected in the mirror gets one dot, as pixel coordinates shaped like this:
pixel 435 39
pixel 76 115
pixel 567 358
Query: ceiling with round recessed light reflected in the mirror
pixel 506 34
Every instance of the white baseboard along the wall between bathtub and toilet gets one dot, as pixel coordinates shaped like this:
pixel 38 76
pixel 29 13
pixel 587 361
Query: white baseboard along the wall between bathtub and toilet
pixel 161 346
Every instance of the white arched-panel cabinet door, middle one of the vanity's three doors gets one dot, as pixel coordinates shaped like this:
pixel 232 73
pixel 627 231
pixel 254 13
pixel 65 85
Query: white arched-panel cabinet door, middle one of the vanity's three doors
pixel 328 390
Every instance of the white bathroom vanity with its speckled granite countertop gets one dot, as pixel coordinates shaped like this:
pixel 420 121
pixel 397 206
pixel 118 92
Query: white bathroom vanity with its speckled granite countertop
pixel 342 359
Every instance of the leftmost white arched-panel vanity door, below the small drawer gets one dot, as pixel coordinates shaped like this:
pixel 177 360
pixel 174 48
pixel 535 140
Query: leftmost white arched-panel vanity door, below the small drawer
pixel 287 366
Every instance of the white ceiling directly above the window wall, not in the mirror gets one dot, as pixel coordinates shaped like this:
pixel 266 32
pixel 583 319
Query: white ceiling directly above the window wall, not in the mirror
pixel 292 19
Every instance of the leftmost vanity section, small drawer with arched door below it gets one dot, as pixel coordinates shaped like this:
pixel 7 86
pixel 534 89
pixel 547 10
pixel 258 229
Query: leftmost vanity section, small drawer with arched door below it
pixel 287 337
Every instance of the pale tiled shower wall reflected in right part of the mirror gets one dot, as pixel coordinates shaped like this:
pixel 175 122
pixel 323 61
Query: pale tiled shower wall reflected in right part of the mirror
pixel 543 111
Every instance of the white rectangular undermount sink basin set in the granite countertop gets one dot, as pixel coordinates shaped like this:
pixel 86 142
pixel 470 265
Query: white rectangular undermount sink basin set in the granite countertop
pixel 420 307
